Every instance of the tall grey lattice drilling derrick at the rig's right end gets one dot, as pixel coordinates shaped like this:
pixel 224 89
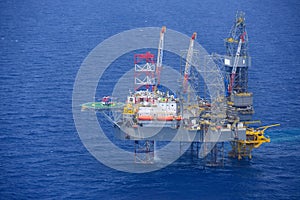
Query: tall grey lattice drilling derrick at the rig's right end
pixel 236 64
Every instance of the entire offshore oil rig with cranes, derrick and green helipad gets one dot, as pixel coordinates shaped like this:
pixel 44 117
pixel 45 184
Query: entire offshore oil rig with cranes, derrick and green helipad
pixel 154 114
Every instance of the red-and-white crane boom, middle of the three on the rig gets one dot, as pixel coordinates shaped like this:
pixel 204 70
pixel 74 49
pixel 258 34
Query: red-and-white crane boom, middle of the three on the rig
pixel 189 58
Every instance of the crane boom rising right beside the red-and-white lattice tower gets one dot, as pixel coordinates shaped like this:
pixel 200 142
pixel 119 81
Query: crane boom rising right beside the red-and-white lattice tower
pixel 160 55
